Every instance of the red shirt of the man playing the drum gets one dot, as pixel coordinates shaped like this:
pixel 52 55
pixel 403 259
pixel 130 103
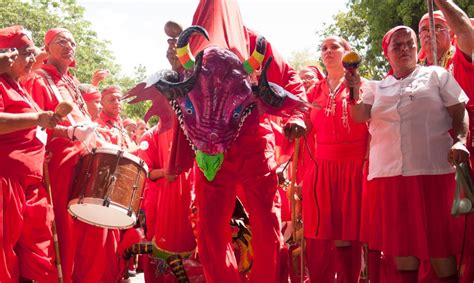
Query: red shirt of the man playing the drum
pixel 37 84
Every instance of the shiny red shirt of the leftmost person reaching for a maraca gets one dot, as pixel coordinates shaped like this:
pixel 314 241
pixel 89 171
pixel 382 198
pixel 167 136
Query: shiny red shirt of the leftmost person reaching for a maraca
pixel 21 153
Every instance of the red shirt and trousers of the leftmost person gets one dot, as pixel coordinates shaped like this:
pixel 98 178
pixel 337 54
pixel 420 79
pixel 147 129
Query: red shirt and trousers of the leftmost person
pixel 26 216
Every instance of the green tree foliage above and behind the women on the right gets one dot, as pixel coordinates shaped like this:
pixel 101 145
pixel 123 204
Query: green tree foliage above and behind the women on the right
pixel 366 22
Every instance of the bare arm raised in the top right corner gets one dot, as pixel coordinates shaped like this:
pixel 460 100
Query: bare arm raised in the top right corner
pixel 459 23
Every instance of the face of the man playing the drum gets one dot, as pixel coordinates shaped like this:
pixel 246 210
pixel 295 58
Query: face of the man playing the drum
pixel 62 49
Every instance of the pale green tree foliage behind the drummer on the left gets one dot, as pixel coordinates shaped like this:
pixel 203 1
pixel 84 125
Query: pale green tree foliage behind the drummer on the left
pixel 92 54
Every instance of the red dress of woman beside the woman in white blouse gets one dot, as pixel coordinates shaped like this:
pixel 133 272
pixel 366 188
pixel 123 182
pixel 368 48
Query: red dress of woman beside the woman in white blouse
pixel 337 177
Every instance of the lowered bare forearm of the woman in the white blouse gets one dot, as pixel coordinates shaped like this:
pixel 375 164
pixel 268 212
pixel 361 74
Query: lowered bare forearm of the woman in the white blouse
pixel 460 125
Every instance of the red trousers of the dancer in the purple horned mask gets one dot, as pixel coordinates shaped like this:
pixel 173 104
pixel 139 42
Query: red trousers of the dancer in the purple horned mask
pixel 215 203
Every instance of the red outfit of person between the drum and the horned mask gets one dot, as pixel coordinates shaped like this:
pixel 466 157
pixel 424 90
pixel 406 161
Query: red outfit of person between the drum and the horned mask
pixel 166 204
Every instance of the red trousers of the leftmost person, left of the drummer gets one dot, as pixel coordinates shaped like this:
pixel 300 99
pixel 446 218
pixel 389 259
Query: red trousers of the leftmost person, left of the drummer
pixel 25 232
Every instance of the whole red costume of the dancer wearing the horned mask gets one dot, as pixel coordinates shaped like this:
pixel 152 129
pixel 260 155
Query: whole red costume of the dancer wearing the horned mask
pixel 251 155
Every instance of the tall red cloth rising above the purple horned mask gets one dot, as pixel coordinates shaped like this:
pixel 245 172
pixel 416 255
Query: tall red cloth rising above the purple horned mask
pixel 223 22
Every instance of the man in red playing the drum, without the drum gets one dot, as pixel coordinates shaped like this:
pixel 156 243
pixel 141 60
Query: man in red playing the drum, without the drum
pixel 80 244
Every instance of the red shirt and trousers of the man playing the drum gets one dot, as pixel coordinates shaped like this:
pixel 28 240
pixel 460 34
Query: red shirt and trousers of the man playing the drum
pixel 81 245
